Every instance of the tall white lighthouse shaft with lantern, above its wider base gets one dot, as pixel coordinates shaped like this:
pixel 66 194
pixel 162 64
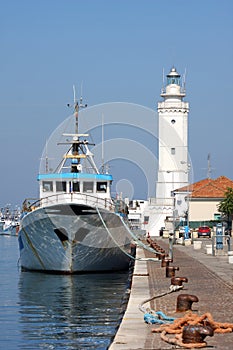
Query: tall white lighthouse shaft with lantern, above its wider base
pixel 172 137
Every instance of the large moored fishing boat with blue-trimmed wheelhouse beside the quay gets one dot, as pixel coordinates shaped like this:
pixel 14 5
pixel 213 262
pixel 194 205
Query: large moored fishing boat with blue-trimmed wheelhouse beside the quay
pixel 75 226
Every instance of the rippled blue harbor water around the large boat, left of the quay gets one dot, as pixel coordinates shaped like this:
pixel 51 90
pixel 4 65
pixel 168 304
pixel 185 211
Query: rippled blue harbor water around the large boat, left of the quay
pixel 44 311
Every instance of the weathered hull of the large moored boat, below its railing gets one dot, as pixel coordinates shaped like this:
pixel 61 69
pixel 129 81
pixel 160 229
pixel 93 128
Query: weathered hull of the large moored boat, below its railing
pixel 73 238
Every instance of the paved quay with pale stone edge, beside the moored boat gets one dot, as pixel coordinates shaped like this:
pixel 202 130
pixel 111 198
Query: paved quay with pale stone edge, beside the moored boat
pixel 210 278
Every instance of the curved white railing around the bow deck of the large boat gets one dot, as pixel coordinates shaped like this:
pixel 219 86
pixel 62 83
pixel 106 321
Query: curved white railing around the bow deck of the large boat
pixel 80 198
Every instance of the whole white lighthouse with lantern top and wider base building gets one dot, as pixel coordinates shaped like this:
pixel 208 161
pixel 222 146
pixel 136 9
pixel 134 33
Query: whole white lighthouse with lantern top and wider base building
pixel 173 170
